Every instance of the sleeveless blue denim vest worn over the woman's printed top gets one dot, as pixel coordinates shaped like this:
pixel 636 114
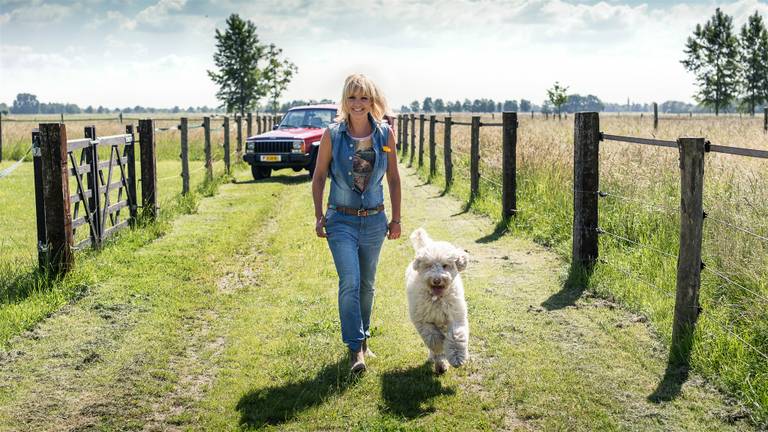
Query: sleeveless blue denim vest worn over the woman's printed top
pixel 343 193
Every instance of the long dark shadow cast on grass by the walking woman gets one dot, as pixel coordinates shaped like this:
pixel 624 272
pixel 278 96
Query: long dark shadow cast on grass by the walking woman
pixel 281 404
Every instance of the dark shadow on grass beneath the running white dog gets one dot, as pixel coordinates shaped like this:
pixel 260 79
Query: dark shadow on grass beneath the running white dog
pixel 406 391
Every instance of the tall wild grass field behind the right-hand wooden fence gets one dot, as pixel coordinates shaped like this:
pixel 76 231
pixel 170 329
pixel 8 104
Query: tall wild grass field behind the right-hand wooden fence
pixel 643 207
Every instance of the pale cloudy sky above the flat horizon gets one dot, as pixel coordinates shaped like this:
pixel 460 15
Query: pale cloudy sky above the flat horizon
pixel 120 53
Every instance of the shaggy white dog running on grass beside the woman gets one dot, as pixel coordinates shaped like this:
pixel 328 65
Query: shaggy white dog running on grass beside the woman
pixel 436 299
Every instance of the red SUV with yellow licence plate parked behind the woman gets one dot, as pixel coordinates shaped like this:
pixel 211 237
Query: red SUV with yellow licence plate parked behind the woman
pixel 291 144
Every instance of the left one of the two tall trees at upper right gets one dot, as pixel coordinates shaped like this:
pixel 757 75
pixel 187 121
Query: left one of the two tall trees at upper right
pixel 712 55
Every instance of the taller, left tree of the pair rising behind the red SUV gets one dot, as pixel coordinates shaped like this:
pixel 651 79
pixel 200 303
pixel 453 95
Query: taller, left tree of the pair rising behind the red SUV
pixel 237 57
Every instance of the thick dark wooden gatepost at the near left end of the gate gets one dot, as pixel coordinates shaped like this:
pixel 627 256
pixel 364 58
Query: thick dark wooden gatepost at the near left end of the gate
pixel 55 188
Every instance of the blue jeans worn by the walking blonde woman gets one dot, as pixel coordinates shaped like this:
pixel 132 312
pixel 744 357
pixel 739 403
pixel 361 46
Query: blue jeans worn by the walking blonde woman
pixel 355 243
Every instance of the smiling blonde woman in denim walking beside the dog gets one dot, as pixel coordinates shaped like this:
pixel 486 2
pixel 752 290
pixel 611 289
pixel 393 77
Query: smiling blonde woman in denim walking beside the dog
pixel 358 152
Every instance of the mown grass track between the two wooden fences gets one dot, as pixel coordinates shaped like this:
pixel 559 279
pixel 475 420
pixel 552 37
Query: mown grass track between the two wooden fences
pixel 229 321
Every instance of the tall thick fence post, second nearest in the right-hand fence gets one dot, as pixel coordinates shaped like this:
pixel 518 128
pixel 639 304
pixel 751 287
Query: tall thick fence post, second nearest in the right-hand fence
pixel 586 139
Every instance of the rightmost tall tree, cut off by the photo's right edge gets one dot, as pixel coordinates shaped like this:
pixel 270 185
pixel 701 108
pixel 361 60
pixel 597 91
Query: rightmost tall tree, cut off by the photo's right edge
pixel 753 47
